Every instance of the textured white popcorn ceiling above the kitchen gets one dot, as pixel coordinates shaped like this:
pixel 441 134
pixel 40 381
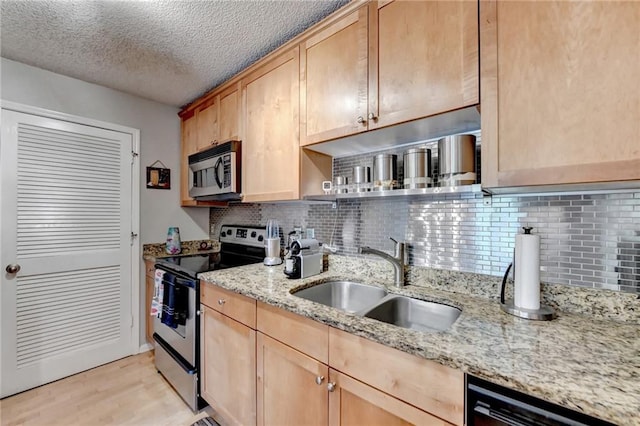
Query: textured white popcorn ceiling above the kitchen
pixel 170 51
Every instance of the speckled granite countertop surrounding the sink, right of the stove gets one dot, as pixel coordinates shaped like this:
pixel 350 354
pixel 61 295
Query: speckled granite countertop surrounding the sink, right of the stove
pixel 590 365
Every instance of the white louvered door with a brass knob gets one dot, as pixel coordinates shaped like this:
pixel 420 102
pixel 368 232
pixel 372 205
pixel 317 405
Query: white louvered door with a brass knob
pixel 66 220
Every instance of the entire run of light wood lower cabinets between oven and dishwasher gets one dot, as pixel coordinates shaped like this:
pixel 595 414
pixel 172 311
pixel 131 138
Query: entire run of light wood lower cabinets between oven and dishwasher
pixel 275 368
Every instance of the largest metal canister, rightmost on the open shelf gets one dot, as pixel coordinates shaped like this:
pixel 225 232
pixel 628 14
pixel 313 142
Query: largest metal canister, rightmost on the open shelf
pixel 457 160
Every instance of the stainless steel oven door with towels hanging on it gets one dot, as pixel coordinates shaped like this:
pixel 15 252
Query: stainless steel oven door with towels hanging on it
pixel 182 338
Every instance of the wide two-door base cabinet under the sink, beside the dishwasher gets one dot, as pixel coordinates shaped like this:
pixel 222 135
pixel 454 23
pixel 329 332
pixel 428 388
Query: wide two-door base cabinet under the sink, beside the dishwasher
pixel 340 379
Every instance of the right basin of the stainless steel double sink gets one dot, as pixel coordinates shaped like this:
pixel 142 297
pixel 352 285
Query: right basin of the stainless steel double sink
pixel 414 314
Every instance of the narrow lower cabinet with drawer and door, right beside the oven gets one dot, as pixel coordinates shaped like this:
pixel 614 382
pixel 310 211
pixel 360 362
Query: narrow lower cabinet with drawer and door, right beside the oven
pixel 228 354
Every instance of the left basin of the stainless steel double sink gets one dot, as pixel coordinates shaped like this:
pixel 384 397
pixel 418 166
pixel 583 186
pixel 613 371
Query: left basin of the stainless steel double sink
pixel 345 295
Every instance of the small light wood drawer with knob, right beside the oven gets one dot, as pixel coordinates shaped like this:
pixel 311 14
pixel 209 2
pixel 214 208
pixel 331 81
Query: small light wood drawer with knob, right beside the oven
pixel 236 306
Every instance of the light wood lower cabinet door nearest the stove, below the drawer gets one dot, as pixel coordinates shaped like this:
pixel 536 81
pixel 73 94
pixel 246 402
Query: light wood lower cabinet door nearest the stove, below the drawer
pixel 228 364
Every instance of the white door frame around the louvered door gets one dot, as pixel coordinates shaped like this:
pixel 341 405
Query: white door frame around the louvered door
pixel 134 344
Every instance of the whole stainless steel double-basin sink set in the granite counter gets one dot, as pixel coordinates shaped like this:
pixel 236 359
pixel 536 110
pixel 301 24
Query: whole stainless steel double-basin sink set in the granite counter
pixel 376 303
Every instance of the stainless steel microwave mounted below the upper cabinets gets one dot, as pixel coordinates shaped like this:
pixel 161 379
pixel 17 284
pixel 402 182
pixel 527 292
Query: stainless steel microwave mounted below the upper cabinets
pixel 214 174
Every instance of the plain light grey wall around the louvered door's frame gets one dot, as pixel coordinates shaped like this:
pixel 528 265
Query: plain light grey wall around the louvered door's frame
pixel 159 128
